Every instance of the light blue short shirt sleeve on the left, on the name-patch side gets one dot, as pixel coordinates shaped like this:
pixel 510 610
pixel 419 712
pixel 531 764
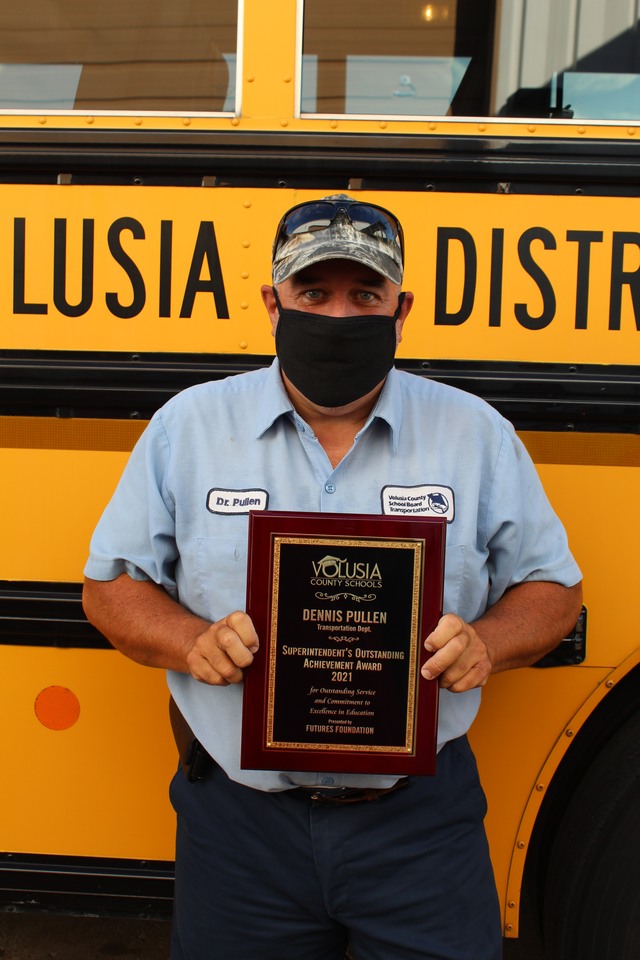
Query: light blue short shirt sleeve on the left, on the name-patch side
pixel 136 533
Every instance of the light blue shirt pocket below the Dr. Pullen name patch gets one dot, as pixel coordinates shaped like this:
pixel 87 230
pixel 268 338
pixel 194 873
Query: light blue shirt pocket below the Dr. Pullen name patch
pixel 221 575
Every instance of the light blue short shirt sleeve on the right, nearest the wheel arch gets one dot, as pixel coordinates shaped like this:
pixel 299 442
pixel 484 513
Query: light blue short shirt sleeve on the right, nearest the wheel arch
pixel 525 539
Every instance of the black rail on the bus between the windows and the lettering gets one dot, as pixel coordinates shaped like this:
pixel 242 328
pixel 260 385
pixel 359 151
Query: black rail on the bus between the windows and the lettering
pixel 324 161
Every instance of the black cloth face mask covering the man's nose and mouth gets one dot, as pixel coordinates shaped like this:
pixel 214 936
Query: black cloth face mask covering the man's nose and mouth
pixel 333 361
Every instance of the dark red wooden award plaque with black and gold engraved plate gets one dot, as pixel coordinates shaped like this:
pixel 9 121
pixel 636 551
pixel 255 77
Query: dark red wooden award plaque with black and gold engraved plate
pixel 342 604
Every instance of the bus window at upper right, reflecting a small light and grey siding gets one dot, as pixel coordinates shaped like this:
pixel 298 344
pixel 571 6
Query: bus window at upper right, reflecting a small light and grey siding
pixel 565 59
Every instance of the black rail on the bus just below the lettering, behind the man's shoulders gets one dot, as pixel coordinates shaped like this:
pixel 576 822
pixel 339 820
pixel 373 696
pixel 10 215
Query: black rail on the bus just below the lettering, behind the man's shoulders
pixel 125 386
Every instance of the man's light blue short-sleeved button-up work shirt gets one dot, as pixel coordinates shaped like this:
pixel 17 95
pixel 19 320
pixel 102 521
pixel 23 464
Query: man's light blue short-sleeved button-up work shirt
pixel 179 516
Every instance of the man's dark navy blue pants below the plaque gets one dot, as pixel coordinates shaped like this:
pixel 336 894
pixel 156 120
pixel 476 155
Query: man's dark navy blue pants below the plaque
pixel 264 876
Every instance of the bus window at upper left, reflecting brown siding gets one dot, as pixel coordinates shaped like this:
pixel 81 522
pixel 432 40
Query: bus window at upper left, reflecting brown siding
pixel 123 55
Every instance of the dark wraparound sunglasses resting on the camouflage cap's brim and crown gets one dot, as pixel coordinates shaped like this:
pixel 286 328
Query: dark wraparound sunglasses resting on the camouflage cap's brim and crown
pixel 316 215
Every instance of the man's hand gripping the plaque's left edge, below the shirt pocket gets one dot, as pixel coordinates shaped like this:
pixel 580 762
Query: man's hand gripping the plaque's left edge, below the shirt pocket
pixel 224 650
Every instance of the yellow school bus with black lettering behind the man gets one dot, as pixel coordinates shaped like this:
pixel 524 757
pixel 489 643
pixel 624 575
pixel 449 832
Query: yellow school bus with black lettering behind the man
pixel 147 150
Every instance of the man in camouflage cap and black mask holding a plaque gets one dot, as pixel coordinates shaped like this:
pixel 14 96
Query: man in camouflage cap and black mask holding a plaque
pixel 286 865
